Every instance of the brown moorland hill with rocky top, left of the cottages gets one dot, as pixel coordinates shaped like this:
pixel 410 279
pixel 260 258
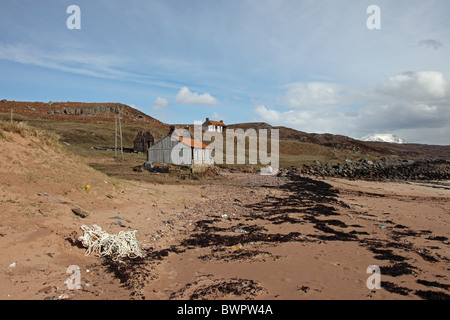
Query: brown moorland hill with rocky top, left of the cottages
pixel 83 126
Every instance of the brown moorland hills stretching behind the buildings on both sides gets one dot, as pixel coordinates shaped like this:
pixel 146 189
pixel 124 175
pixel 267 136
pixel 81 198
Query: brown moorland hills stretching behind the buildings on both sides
pixel 296 147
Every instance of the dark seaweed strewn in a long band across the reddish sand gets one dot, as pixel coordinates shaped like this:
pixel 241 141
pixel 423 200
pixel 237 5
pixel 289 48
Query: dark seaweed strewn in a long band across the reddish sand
pixel 308 199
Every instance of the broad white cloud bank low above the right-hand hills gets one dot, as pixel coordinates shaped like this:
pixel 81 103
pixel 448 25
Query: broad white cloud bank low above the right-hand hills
pixel 407 104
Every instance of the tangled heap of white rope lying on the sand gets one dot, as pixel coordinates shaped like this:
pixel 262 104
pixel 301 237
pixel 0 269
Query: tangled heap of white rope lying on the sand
pixel 115 246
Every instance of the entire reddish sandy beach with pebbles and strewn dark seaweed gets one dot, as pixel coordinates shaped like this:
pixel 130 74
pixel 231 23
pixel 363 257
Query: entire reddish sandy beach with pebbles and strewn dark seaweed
pixel 242 236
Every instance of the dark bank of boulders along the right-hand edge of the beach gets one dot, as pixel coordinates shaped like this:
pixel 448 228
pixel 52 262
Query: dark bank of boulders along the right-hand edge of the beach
pixel 383 169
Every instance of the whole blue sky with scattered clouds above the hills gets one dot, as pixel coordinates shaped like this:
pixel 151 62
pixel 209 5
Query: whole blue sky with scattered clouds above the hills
pixel 310 65
